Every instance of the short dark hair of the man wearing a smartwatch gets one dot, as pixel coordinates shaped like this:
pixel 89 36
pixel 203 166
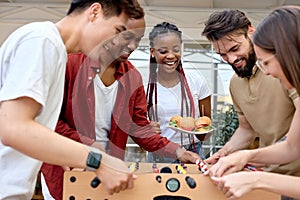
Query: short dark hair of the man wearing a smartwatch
pixel 110 7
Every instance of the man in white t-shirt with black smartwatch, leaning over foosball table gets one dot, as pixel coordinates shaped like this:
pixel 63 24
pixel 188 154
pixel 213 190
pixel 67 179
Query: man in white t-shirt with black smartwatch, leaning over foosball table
pixel 32 69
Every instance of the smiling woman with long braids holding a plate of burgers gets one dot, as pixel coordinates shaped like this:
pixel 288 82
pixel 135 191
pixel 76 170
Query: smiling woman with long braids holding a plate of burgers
pixel 171 91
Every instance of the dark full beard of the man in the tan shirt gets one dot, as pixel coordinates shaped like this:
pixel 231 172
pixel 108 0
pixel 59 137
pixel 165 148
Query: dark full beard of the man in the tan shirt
pixel 246 71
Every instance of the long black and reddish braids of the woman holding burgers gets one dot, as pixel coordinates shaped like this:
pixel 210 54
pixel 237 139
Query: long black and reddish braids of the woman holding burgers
pixel 187 103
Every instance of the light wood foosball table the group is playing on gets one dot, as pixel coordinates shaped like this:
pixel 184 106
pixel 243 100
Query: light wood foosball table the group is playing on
pixel 157 181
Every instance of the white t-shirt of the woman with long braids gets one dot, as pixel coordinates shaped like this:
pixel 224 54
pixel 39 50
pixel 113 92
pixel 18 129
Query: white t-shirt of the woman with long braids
pixel 169 104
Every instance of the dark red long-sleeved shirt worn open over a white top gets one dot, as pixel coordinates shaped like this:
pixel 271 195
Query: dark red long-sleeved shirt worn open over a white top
pixel 77 117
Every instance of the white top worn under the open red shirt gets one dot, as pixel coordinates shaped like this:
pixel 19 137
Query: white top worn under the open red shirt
pixel 105 98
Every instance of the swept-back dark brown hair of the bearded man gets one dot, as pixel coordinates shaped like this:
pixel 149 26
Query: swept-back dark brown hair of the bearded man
pixel 225 22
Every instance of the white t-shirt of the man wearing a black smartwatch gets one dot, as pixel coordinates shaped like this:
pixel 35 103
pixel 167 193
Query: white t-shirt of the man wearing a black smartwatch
pixel 32 64
